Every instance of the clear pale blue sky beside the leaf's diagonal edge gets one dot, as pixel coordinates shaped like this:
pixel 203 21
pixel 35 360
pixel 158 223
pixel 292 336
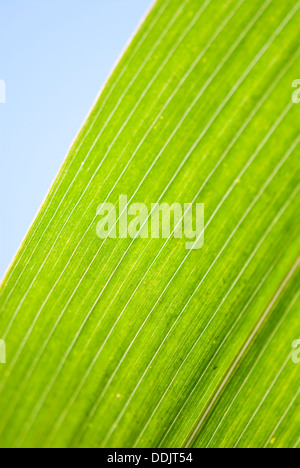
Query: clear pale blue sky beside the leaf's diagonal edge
pixel 54 57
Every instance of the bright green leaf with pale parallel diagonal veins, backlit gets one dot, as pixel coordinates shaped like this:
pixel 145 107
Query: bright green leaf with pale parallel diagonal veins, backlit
pixel 141 342
